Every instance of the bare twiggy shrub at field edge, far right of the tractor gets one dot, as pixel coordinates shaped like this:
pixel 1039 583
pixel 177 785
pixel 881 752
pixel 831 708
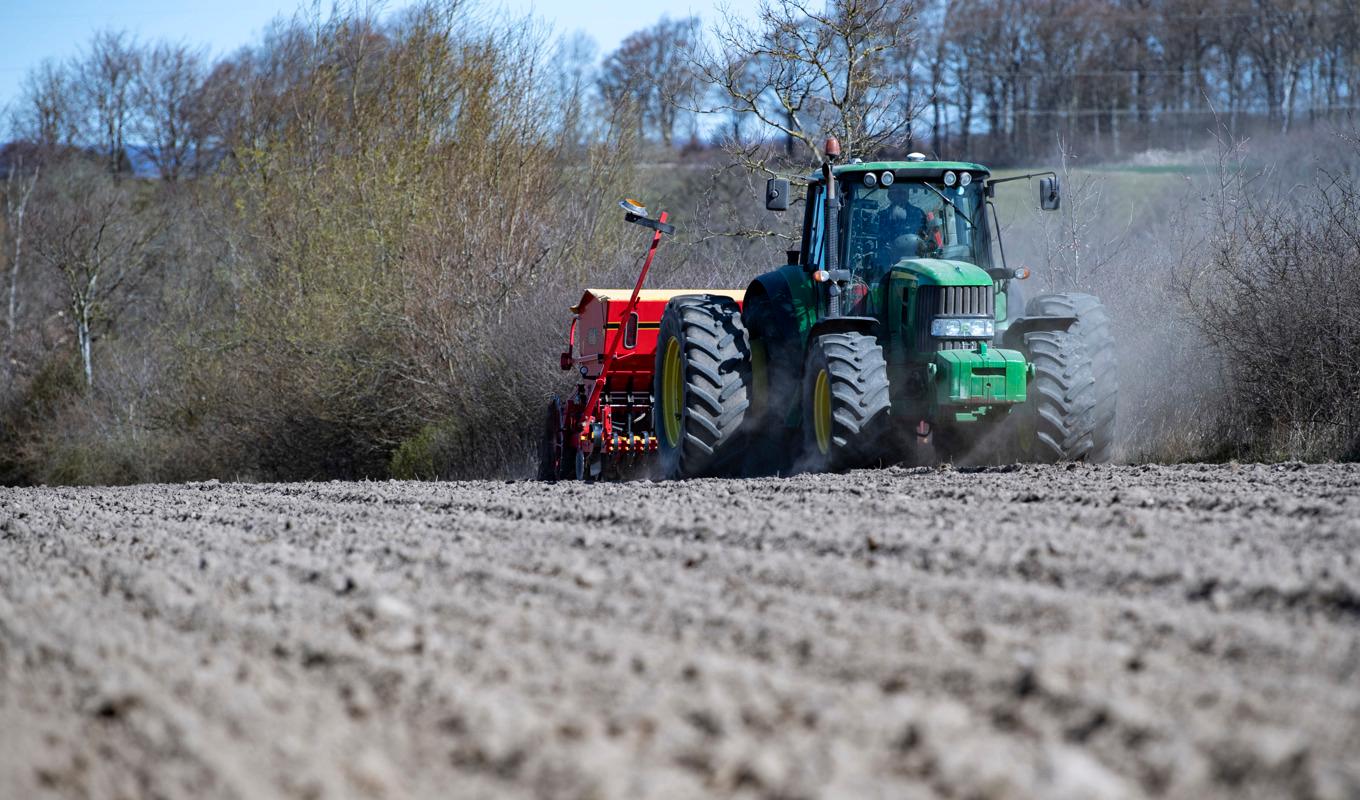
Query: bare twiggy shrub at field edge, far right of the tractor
pixel 1279 303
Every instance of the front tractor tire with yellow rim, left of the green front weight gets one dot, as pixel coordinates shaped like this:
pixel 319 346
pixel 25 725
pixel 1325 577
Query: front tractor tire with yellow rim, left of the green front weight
pixel 847 428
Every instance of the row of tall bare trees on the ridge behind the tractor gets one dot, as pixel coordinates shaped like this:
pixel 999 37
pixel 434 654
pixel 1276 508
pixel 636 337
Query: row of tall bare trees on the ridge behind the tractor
pixel 1006 80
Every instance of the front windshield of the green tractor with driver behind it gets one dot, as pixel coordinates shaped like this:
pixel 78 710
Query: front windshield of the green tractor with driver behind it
pixel 887 225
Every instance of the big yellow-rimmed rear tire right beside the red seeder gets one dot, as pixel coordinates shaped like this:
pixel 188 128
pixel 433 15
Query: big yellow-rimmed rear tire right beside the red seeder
pixel 704 349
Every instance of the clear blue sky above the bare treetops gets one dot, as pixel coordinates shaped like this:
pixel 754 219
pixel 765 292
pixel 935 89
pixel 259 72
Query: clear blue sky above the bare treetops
pixel 39 29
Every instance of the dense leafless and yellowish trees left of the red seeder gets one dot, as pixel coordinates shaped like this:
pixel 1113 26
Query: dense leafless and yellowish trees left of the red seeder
pixel 293 261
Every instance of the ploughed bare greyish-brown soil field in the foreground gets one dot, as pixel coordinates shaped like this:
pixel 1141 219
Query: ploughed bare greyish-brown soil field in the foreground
pixel 1036 632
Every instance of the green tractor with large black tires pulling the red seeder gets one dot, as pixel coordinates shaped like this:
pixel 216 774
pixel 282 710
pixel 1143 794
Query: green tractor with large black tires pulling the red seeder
pixel 891 331
